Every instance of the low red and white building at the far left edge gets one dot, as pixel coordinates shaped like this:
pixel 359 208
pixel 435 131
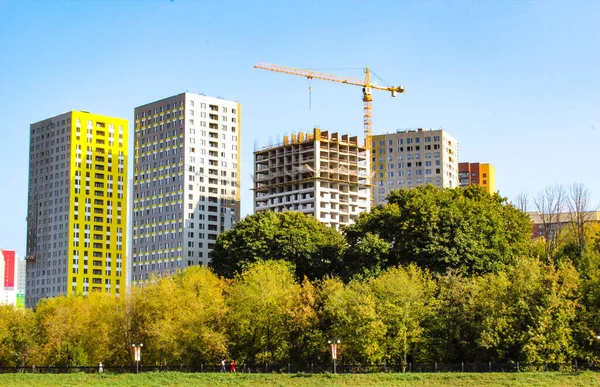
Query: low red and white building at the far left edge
pixel 12 270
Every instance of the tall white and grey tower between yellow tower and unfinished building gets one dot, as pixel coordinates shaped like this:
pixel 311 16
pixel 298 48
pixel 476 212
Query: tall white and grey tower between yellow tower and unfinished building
pixel 186 185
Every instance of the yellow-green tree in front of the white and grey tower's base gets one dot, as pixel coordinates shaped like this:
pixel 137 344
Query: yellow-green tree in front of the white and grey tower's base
pixel 181 318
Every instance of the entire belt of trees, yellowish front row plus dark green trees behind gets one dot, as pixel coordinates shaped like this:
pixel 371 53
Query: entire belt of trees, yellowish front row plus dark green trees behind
pixel 434 276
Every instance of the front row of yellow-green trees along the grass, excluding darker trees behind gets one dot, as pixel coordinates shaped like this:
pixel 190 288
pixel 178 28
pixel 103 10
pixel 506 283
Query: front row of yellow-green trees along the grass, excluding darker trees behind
pixel 531 312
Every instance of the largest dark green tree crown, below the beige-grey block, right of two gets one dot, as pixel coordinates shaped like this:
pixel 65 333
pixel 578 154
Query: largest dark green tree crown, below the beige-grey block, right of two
pixel 464 228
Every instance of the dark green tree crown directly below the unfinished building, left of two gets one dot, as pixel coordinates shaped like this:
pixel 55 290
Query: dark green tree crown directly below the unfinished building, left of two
pixel 312 247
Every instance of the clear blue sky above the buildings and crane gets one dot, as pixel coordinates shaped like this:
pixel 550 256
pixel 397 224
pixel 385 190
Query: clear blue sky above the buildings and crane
pixel 517 83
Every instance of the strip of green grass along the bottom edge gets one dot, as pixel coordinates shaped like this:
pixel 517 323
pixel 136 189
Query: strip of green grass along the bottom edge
pixel 550 379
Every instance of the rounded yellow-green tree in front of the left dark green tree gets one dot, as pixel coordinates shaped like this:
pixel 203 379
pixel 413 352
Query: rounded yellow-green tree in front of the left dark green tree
pixel 266 307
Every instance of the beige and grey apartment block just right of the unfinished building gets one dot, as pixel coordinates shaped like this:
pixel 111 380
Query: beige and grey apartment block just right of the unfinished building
pixel 409 158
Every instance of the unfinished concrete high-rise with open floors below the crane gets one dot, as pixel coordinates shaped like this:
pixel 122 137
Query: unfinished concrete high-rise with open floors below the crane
pixel 325 175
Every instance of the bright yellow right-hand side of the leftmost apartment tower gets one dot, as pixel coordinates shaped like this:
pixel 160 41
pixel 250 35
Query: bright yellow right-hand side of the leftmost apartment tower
pixel 98 204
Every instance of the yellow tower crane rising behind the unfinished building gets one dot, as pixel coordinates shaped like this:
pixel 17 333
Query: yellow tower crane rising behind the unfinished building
pixel 366 84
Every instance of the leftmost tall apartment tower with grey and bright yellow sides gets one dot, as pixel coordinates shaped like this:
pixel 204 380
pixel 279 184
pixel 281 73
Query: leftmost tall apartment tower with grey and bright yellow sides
pixel 77 211
